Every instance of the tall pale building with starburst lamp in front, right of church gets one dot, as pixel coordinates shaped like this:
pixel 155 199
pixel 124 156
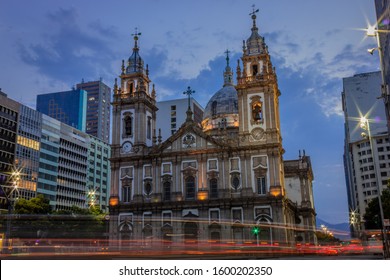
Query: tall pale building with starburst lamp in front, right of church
pixel 366 163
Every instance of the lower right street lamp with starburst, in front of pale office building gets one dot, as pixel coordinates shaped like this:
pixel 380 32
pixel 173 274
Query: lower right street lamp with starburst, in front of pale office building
pixel 365 125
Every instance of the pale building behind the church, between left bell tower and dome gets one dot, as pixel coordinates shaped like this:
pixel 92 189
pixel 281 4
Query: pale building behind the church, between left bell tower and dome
pixel 171 115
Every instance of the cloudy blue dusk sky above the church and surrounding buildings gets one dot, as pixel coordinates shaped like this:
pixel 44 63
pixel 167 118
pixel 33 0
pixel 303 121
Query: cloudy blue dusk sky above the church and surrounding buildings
pixel 49 46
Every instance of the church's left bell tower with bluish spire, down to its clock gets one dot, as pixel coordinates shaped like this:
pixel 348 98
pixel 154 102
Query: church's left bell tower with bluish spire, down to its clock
pixel 134 106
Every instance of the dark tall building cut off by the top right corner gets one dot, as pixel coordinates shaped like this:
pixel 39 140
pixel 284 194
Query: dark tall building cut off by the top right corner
pixel 382 8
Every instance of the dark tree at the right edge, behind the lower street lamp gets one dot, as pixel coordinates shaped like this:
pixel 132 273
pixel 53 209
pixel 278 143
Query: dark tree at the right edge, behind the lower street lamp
pixel 372 216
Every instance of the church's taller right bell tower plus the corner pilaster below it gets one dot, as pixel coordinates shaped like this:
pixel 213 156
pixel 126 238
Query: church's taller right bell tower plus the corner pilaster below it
pixel 258 105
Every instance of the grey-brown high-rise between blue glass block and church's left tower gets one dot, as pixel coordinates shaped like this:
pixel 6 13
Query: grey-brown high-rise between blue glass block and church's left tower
pixel 98 109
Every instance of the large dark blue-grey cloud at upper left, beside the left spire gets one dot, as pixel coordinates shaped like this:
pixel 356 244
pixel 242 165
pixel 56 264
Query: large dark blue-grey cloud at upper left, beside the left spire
pixel 68 51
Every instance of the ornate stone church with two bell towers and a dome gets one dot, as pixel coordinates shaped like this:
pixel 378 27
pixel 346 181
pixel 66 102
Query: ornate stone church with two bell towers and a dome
pixel 223 180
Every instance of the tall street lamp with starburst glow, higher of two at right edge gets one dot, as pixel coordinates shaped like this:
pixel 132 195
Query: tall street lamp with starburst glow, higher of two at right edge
pixel 373 31
